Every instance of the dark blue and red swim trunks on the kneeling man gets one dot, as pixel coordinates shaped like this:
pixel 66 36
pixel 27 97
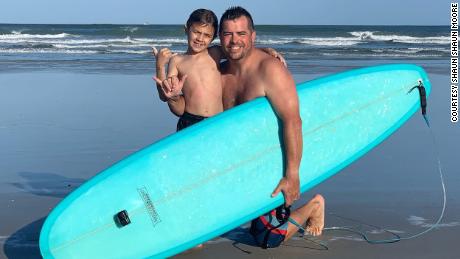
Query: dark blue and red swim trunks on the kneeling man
pixel 268 231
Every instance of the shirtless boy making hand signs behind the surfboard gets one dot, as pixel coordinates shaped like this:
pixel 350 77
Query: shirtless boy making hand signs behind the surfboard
pixel 202 91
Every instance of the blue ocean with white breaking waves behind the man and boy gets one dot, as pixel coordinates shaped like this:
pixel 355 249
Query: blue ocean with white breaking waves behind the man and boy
pixel 127 48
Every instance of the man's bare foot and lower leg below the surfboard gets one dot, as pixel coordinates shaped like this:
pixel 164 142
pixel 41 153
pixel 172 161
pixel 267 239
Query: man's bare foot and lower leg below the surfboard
pixel 311 213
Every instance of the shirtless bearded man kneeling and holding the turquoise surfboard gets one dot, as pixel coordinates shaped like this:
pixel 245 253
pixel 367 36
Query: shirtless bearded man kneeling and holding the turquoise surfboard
pixel 250 73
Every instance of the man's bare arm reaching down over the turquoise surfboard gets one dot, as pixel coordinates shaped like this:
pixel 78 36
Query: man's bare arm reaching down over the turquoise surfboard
pixel 281 92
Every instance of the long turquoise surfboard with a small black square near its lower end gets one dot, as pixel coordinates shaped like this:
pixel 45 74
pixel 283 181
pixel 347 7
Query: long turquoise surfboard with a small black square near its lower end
pixel 203 181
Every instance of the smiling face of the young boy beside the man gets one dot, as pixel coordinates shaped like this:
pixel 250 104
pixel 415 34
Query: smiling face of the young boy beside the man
pixel 199 36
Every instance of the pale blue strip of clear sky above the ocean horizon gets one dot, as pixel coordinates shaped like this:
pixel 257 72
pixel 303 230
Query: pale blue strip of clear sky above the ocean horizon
pixel 306 12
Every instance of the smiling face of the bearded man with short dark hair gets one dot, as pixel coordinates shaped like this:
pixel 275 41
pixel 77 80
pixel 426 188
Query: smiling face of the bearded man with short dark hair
pixel 236 38
